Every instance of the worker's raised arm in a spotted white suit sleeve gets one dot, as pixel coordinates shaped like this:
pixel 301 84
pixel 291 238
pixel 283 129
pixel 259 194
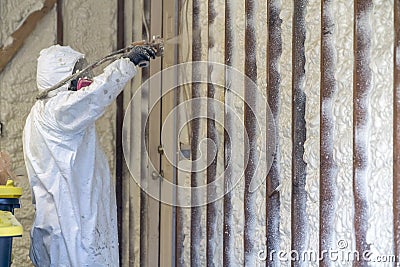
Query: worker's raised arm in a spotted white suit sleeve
pixel 82 108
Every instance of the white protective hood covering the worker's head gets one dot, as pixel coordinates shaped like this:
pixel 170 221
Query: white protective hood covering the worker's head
pixel 55 64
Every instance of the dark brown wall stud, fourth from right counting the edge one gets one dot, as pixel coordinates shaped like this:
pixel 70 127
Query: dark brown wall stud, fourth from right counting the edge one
pixel 299 194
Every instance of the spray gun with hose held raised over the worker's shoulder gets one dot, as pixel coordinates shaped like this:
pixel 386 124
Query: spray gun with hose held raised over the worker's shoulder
pixel 157 43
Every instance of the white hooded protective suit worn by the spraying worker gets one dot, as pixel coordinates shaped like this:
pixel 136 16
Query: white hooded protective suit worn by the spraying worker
pixel 76 219
